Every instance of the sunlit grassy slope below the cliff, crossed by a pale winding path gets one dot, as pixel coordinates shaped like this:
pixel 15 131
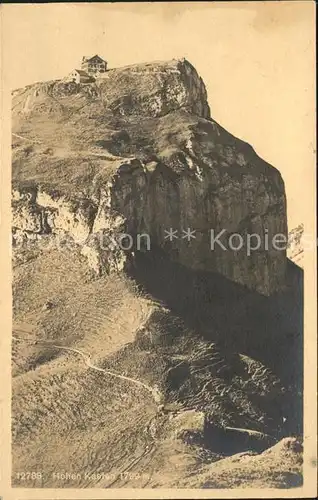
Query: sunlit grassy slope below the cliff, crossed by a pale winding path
pixel 68 417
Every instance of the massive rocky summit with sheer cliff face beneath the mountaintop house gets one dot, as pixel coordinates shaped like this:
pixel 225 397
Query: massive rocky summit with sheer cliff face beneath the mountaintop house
pixel 117 163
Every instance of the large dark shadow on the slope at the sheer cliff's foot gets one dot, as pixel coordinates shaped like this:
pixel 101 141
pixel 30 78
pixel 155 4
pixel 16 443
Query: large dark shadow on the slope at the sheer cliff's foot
pixel 268 329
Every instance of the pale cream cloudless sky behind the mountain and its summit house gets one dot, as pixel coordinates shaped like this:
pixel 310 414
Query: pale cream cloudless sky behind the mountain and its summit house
pixel 257 60
